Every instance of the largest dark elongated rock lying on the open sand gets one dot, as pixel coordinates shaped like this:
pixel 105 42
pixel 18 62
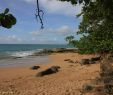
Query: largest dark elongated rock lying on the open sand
pixel 51 70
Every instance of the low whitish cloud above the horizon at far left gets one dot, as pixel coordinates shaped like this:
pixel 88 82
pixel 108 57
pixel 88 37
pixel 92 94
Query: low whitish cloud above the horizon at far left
pixel 10 39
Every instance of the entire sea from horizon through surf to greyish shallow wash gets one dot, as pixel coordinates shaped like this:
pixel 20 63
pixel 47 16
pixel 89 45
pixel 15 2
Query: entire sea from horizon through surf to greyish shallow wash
pixel 12 55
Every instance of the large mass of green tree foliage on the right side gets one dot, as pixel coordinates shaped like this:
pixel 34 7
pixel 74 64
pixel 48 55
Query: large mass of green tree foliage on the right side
pixel 96 27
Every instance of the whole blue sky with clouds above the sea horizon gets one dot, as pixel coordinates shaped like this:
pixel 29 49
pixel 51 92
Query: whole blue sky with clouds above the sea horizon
pixel 59 21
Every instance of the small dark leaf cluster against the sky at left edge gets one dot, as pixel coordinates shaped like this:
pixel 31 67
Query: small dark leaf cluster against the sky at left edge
pixel 7 20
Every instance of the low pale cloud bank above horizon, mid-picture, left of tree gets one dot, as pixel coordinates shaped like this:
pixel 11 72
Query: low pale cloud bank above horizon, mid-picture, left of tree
pixel 51 35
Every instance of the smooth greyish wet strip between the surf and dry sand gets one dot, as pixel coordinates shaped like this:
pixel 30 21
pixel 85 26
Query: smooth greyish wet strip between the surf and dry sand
pixel 24 61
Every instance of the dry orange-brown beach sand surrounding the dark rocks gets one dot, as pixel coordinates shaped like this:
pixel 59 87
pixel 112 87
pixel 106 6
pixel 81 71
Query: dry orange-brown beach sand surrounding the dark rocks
pixel 68 81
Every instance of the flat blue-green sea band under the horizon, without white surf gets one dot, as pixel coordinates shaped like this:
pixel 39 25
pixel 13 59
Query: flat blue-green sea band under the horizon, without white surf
pixel 27 47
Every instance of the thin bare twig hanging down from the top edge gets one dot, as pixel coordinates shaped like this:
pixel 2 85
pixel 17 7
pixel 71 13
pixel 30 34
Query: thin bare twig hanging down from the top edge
pixel 39 15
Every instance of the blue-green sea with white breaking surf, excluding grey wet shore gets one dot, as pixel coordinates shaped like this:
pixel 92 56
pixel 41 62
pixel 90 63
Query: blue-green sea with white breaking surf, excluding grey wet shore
pixel 20 50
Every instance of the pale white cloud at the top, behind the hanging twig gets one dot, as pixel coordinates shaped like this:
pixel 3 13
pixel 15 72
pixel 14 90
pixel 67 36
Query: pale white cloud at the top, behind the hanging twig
pixel 58 7
